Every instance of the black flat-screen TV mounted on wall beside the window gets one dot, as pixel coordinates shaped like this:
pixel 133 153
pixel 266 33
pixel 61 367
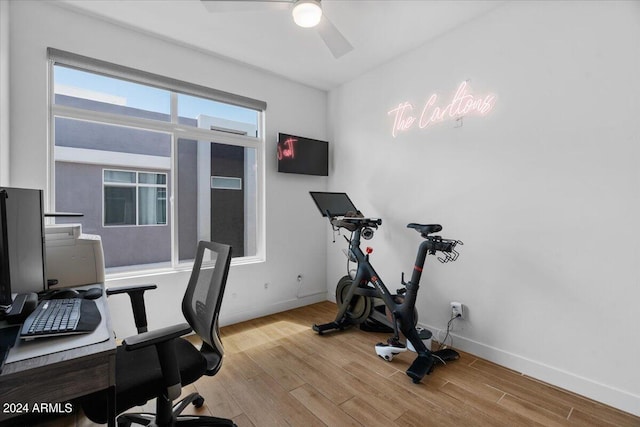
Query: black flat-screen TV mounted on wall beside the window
pixel 302 155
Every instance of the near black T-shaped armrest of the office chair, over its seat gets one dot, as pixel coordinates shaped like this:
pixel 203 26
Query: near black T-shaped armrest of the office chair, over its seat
pixel 164 341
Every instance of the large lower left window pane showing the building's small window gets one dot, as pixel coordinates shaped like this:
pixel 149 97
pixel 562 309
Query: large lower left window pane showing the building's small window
pixel 90 156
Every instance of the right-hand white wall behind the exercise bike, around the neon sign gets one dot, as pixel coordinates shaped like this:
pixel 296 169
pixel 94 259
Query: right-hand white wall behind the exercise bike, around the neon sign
pixel 543 191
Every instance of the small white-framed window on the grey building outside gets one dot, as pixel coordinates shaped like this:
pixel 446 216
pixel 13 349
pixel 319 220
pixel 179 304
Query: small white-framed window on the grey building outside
pixel 134 198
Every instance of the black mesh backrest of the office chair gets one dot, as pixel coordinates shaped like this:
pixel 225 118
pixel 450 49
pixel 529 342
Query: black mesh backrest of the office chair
pixel 203 298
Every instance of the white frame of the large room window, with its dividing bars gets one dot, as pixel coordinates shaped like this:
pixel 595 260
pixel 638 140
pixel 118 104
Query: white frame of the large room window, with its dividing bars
pixel 173 128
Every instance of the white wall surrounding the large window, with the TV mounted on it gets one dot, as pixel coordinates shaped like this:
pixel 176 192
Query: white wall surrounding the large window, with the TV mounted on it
pixel 292 108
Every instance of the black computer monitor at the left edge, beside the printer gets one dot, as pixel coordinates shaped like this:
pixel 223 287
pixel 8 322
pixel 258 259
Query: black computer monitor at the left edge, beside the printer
pixel 23 247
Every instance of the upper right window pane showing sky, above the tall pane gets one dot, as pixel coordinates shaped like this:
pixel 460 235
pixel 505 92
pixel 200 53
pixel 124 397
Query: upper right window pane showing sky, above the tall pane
pixel 207 114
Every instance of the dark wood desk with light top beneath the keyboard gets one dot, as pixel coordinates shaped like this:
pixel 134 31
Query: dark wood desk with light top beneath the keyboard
pixel 62 376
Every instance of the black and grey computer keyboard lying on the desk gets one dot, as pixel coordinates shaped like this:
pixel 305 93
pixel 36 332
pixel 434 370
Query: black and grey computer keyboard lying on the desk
pixel 59 317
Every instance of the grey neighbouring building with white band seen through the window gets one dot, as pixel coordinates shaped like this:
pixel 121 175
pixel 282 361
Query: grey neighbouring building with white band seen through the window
pixel 132 167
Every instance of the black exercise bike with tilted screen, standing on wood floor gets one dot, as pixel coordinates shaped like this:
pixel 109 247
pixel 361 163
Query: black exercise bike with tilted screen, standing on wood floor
pixel 356 295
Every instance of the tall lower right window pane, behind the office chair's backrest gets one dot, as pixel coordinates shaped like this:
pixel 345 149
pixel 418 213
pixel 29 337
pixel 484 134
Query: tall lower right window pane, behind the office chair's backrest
pixel 206 213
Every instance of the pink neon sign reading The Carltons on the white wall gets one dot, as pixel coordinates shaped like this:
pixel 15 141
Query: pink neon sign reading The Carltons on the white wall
pixel 462 104
